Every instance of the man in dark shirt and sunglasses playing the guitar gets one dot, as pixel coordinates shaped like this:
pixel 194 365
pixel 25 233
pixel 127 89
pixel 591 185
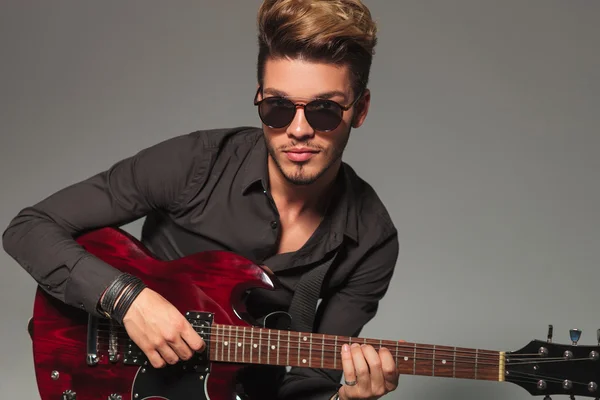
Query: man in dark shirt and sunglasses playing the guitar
pixel 280 196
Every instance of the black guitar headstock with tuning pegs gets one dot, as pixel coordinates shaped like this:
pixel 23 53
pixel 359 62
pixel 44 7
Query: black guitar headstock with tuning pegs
pixel 544 368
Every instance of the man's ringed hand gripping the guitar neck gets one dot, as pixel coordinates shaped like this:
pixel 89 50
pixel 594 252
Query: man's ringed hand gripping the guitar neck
pixel 375 373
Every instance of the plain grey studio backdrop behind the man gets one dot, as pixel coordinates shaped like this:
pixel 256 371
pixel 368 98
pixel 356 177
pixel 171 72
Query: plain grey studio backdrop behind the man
pixel 483 140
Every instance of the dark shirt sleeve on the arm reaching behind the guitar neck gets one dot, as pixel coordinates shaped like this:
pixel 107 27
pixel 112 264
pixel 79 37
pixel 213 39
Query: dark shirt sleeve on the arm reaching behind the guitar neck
pixel 345 313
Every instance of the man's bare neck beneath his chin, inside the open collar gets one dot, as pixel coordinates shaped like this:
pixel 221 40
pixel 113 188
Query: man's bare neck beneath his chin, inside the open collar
pixel 302 197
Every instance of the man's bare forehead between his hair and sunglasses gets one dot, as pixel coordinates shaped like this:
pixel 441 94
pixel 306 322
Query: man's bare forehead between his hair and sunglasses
pixel 305 78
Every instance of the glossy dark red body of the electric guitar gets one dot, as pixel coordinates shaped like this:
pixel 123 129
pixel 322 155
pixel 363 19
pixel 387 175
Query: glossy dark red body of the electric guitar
pixel 74 354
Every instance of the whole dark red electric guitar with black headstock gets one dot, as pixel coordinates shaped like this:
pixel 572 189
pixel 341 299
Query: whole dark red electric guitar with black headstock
pixel 80 357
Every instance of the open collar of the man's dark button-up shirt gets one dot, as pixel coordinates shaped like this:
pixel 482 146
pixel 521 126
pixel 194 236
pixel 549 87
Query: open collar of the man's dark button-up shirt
pixel 343 212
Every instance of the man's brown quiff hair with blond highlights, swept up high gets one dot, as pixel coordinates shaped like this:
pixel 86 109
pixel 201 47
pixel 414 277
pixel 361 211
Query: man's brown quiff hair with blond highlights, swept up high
pixel 339 32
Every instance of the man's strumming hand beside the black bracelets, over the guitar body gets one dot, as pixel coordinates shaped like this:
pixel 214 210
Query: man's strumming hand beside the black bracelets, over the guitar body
pixel 160 330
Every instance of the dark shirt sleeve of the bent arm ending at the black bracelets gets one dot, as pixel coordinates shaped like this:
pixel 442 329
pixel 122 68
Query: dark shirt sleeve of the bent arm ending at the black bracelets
pixel 42 237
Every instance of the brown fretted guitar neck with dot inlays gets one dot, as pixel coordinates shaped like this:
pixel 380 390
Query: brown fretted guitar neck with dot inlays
pixel 253 345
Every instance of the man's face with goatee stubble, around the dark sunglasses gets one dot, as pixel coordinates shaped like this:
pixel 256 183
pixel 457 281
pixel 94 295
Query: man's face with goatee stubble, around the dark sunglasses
pixel 298 151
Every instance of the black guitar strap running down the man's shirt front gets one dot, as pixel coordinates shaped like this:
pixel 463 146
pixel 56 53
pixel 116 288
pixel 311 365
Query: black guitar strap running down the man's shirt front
pixel 304 302
